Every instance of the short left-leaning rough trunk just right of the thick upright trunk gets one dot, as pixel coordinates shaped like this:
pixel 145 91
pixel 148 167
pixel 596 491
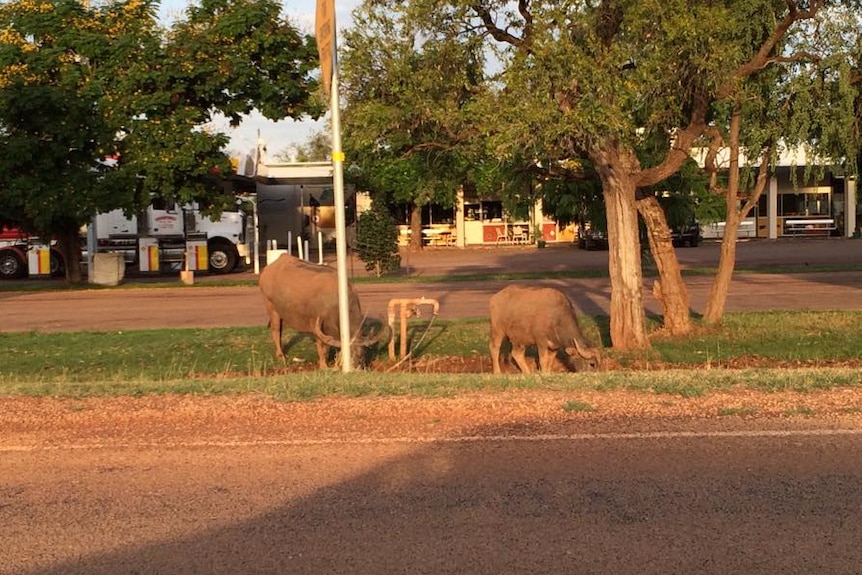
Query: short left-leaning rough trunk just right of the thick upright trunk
pixel 669 289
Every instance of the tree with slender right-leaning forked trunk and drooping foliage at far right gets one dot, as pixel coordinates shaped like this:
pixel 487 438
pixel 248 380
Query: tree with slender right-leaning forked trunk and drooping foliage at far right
pixel 801 97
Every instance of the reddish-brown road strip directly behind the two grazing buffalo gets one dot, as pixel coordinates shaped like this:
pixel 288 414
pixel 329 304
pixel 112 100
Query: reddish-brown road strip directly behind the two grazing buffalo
pixel 243 306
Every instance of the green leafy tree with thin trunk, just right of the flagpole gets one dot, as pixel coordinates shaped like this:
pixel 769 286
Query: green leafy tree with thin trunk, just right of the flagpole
pixel 408 97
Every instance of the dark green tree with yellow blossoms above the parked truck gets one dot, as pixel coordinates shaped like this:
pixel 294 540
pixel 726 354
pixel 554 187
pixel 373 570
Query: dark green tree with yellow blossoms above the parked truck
pixel 81 83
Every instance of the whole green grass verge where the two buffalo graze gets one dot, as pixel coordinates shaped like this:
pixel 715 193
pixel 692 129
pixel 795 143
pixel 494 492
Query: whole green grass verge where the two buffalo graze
pixel 241 360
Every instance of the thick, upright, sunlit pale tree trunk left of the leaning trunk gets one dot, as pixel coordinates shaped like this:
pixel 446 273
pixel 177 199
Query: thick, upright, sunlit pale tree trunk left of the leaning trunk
pixel 628 320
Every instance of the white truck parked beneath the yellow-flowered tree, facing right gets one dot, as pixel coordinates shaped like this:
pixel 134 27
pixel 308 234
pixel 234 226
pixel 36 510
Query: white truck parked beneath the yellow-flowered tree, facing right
pixel 171 229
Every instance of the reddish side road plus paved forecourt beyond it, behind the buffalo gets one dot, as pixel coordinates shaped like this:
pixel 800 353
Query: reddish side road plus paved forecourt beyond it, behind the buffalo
pixel 179 307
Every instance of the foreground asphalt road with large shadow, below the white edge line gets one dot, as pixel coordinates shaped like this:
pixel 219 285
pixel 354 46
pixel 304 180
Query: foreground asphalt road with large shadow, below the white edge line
pixel 745 501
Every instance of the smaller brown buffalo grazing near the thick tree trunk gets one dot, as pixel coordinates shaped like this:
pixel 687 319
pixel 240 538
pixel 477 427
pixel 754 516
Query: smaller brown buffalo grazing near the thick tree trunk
pixel 543 317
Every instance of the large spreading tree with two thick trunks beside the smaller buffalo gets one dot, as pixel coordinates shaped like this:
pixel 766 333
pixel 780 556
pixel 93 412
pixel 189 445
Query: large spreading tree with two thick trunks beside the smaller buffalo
pixel 603 80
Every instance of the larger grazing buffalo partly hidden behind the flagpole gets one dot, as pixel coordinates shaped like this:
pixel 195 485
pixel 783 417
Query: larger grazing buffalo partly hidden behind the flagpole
pixel 304 297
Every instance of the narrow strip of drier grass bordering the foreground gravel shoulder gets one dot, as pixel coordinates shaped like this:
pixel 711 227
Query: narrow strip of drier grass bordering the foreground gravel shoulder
pixel 311 385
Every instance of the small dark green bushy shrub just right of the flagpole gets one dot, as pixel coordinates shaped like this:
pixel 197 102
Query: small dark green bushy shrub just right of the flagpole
pixel 377 240
